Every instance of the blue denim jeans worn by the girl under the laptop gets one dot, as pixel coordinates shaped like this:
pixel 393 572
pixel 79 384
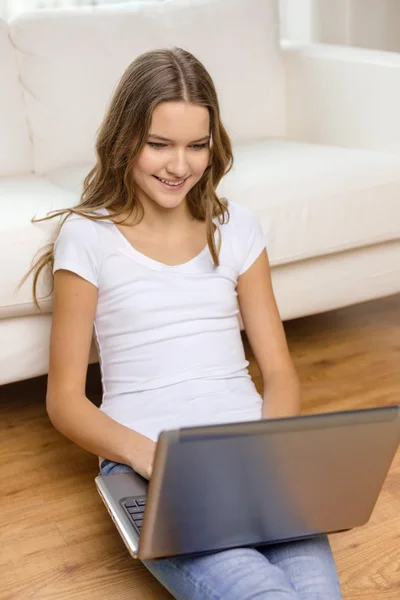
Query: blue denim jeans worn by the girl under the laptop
pixel 298 570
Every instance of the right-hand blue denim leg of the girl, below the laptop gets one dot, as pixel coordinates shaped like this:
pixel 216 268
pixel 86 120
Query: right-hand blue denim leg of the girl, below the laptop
pixel 309 566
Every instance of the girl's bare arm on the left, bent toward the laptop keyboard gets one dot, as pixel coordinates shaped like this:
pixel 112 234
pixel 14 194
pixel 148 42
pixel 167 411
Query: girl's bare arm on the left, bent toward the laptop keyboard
pixel 70 411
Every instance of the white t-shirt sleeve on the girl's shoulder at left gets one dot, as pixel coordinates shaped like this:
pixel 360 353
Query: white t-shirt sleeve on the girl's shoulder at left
pixel 77 249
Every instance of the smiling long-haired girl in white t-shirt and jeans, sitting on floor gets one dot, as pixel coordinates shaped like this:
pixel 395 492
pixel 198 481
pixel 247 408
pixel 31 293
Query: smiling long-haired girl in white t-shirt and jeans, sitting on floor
pixel 157 264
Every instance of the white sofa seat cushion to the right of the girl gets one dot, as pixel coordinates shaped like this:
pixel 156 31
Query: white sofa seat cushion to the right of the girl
pixel 316 200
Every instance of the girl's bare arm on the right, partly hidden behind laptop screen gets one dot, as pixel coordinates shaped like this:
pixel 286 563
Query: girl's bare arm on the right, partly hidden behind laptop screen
pixel 267 339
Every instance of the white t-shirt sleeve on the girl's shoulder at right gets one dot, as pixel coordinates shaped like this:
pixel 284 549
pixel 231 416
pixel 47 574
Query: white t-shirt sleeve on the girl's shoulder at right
pixel 250 238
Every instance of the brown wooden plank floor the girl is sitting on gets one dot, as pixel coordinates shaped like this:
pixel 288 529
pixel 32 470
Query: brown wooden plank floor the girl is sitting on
pixel 57 541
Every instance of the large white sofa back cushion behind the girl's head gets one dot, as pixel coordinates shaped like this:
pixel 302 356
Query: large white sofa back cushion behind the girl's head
pixel 71 60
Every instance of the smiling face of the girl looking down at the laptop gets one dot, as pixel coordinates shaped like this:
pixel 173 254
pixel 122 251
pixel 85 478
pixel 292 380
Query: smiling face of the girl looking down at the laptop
pixel 176 153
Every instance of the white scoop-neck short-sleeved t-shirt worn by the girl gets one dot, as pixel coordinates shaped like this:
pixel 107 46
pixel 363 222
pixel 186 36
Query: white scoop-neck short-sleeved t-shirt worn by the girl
pixel 168 337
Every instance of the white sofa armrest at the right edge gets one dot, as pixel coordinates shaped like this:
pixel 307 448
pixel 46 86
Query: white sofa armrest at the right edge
pixel 342 96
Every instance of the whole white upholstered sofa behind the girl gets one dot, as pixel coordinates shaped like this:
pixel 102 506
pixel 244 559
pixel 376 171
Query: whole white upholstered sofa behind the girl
pixel 316 135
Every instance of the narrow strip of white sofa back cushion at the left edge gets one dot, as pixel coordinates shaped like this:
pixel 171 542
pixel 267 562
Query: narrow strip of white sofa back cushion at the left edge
pixel 15 146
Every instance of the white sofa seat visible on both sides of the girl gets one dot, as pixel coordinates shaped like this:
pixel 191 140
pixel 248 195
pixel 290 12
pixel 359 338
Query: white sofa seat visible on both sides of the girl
pixel 312 200
